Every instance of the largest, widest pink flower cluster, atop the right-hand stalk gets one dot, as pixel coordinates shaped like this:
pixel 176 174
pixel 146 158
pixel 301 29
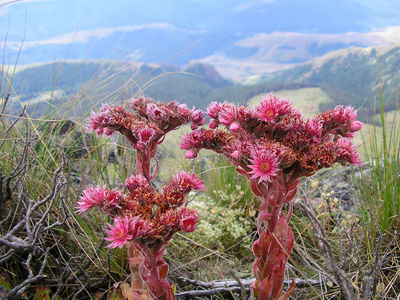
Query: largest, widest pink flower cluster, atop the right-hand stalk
pixel 275 136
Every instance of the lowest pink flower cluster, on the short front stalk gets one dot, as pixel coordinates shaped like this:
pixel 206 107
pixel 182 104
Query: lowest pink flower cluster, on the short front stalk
pixel 143 213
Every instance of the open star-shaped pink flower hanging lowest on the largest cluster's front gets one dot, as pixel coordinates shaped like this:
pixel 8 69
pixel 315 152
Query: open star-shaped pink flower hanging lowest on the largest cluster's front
pixel 264 165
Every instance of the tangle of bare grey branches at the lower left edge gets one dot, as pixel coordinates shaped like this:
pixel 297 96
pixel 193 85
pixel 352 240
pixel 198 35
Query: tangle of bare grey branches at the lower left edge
pixel 29 219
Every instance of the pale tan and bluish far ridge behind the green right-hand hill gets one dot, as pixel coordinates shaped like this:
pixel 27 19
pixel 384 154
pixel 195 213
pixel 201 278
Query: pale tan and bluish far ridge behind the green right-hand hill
pixel 283 50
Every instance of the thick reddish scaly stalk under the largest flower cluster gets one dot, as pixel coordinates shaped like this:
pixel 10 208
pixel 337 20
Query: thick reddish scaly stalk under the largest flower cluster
pixel 275 242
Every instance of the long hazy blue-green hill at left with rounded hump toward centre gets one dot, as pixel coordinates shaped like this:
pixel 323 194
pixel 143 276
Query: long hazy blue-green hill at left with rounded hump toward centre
pixel 78 87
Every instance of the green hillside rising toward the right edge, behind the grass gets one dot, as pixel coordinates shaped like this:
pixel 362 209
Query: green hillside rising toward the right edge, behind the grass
pixel 352 76
